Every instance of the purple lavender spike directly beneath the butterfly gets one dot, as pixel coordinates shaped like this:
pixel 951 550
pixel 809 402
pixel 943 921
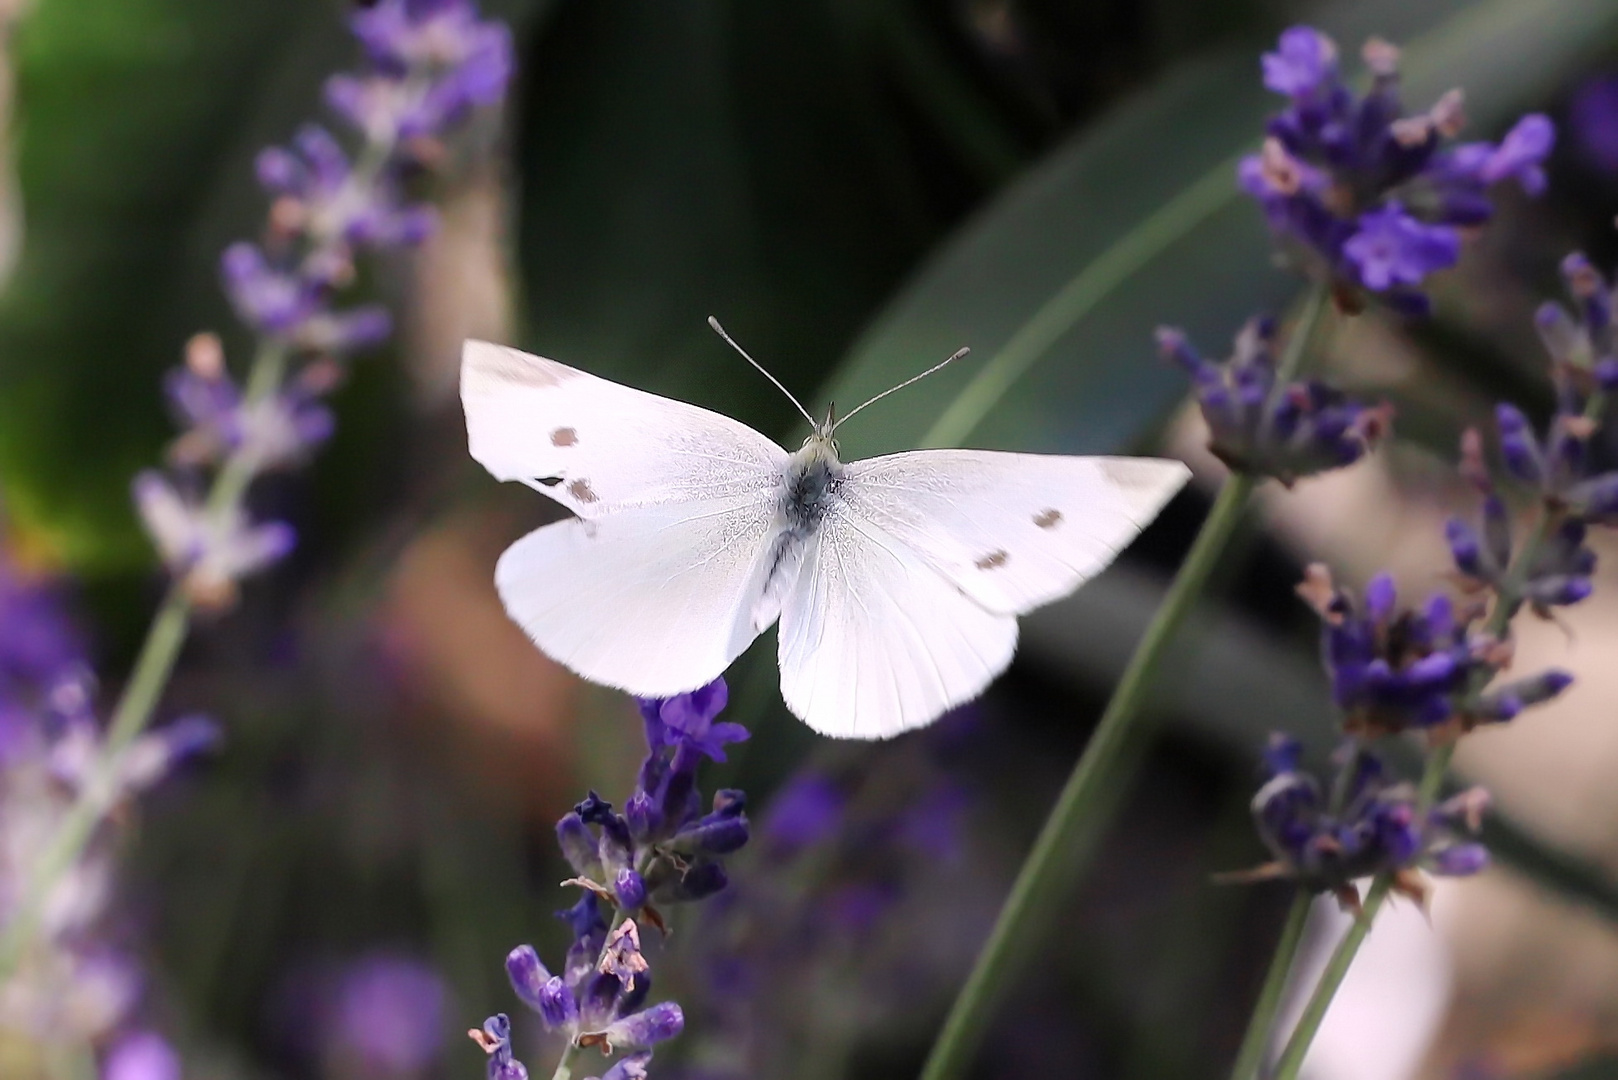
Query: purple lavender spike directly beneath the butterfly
pixel 661 851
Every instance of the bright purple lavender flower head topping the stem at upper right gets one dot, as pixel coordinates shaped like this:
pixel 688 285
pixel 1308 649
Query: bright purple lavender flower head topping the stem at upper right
pixel 1363 197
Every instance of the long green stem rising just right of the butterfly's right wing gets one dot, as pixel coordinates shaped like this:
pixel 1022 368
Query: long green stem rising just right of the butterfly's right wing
pixel 1088 797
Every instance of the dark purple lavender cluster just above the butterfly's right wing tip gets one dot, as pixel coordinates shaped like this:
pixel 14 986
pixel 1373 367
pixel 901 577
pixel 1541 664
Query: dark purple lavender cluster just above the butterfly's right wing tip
pixel 1261 427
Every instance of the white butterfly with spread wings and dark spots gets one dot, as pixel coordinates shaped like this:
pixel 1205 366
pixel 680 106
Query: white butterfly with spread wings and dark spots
pixel 897 580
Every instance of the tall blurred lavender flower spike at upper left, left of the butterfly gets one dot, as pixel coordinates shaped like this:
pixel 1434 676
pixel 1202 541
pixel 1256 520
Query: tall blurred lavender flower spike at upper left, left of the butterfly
pixel 430 66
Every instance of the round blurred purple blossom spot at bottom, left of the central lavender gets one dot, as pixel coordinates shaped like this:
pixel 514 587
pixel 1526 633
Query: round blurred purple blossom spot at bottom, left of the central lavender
pixel 391 1014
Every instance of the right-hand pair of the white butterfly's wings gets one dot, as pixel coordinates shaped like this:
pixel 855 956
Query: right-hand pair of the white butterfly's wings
pixel 909 598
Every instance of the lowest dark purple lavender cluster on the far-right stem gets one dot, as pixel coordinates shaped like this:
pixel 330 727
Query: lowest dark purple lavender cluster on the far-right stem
pixel 1370 825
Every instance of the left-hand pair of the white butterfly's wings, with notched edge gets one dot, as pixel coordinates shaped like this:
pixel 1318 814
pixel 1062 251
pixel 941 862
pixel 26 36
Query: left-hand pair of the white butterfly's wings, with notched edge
pixel 653 587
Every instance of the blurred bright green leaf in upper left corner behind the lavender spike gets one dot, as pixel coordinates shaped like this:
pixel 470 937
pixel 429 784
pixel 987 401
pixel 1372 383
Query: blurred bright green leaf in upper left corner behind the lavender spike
pixel 138 122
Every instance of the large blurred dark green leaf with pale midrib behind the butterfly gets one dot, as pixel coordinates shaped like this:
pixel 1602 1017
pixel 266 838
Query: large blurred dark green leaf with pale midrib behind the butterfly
pixel 1135 223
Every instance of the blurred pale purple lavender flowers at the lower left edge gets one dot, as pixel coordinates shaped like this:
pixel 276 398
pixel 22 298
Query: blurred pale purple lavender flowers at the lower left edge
pixel 75 985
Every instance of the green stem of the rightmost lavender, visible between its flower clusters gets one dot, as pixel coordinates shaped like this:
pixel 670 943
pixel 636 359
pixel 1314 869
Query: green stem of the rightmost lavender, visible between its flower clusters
pixel 1433 778
